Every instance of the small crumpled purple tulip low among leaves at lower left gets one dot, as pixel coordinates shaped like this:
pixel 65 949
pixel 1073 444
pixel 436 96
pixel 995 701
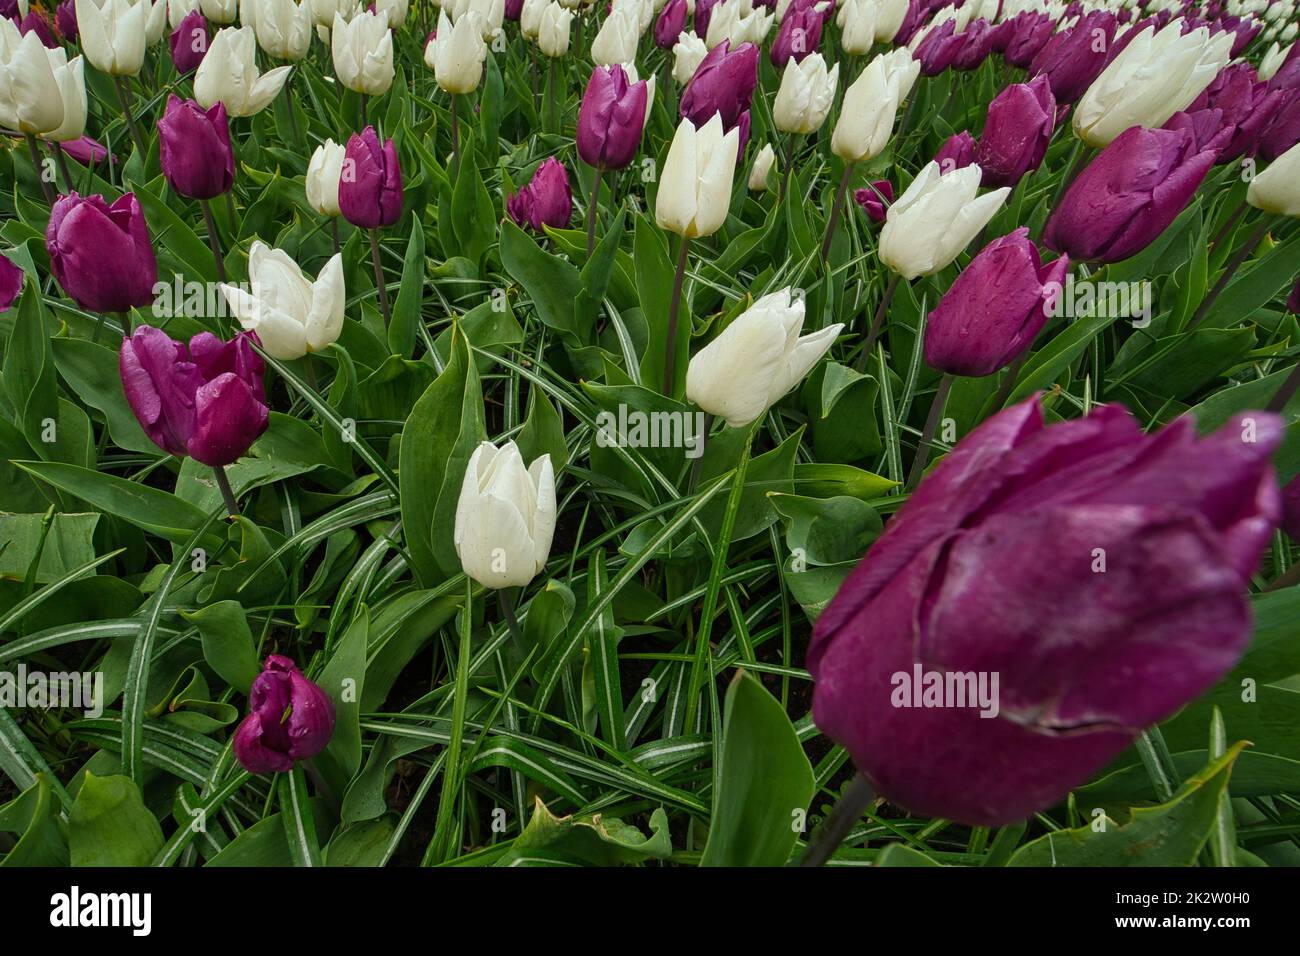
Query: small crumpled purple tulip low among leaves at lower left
pixel 291 719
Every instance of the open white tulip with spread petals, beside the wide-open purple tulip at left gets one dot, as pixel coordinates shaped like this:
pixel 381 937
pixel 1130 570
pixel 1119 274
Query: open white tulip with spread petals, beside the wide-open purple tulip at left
pixel 291 315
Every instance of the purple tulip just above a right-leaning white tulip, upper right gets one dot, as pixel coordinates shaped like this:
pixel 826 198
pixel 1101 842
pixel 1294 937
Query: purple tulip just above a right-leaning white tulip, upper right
pixel 1021 122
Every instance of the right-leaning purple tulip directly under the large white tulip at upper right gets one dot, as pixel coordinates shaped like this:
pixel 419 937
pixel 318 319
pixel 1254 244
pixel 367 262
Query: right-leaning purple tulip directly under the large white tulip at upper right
pixel 1128 196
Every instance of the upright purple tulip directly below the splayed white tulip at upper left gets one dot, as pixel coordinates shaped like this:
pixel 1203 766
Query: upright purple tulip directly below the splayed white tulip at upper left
pixel 194 149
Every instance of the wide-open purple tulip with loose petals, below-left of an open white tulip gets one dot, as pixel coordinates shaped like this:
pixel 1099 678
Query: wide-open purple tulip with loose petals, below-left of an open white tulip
pixel 205 400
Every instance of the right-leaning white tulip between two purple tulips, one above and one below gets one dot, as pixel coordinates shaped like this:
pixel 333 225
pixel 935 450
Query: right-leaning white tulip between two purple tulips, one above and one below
pixel 935 219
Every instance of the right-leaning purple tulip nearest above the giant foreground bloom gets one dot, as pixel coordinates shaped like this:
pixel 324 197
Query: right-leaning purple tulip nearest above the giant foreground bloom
pixel 995 309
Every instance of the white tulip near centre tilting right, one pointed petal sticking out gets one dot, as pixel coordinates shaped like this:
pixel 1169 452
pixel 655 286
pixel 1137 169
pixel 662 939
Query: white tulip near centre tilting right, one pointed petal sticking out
pixel 756 360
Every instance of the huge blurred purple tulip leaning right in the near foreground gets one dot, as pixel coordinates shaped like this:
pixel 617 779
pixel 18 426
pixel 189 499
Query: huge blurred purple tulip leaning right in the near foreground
pixel 991 572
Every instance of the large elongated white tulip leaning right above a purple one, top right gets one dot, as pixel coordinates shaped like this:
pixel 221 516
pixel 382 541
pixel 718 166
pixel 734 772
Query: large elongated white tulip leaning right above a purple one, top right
pixel 1154 77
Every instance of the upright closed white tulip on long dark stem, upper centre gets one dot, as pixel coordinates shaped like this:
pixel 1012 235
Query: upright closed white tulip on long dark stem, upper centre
pixel 696 183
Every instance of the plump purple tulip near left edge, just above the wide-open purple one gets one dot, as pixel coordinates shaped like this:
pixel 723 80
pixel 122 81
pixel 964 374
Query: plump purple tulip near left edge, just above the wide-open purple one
pixel 101 254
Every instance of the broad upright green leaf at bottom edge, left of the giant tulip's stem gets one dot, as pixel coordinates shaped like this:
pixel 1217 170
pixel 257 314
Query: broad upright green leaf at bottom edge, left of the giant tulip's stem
pixel 765 782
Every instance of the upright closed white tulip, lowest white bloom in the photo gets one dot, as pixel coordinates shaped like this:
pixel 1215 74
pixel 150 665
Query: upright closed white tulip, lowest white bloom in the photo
pixel 505 517
